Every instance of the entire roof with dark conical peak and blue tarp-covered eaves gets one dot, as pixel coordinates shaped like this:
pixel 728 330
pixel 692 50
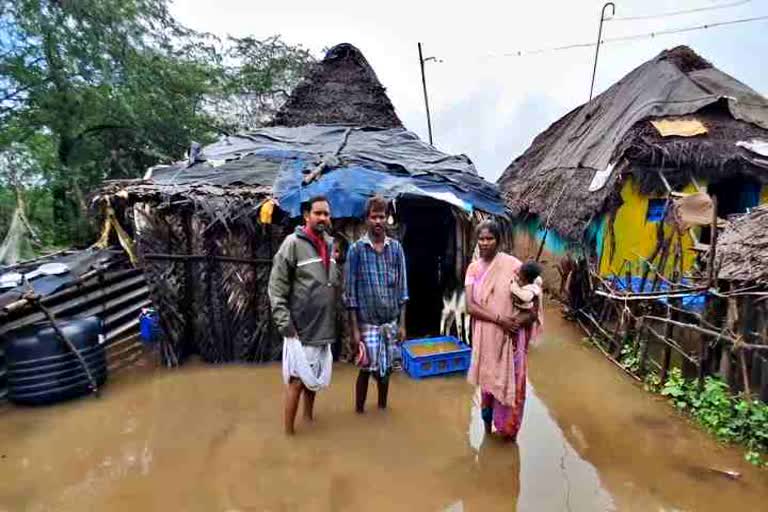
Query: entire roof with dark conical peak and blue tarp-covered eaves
pixel 338 136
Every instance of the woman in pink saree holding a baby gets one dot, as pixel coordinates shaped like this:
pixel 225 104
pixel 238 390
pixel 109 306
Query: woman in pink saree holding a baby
pixel 500 335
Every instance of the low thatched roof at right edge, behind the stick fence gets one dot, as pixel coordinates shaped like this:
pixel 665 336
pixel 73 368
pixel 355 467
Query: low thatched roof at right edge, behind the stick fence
pixel 743 248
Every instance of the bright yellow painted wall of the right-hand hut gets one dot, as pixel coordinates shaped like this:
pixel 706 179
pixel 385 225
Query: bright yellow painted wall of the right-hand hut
pixel 636 237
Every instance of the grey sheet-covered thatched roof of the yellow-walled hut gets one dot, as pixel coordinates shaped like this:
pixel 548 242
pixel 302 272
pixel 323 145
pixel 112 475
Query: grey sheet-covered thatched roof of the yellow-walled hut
pixel 612 134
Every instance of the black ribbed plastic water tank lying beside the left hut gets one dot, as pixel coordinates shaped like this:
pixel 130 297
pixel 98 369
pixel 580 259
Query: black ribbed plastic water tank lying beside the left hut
pixel 41 368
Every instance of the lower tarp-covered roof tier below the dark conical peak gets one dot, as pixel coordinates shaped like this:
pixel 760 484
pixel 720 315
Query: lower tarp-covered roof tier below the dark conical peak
pixel 354 163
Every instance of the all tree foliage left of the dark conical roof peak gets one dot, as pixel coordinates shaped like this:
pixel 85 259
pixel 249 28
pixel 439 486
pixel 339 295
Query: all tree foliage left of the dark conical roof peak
pixel 102 89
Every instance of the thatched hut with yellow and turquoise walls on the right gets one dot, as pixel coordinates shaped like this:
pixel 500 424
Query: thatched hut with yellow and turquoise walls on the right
pixel 600 181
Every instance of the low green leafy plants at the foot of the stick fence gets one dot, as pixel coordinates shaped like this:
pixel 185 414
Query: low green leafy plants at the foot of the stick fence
pixel 729 418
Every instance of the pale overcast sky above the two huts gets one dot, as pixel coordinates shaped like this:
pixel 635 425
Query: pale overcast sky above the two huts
pixel 485 101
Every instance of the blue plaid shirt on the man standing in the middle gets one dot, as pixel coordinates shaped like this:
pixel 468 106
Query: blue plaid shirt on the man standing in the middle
pixel 376 284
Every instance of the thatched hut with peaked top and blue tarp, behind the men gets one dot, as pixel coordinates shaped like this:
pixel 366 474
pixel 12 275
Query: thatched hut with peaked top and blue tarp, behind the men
pixel 208 227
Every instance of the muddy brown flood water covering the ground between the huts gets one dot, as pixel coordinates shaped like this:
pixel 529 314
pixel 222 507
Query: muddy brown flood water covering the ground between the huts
pixel 210 438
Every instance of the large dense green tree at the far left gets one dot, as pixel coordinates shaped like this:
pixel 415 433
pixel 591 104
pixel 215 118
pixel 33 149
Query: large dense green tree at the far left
pixel 85 73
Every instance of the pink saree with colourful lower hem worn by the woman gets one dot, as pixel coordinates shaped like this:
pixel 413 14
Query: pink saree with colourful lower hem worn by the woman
pixel 499 360
